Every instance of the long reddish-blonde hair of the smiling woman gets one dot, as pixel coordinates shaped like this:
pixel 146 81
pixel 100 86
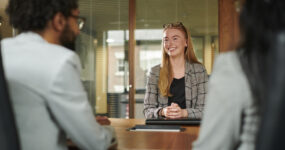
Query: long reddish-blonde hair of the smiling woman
pixel 166 72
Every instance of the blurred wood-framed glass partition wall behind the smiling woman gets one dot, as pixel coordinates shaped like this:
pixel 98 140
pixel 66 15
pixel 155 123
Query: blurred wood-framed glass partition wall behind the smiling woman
pixel 121 41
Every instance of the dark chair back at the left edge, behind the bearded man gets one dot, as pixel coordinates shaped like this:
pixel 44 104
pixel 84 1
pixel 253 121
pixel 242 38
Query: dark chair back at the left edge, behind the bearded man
pixel 8 131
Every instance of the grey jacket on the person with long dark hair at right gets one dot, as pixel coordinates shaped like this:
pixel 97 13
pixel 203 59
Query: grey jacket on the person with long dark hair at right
pixel 231 118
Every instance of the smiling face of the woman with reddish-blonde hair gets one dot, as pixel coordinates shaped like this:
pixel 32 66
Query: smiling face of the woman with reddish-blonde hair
pixel 174 42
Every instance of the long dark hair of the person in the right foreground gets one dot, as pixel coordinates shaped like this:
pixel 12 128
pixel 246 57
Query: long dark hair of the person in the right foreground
pixel 261 21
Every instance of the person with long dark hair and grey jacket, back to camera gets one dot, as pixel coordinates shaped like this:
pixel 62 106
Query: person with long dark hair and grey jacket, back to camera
pixel 238 83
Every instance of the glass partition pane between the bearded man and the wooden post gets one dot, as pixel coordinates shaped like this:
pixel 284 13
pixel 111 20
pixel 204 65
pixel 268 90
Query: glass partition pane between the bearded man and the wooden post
pixel 102 48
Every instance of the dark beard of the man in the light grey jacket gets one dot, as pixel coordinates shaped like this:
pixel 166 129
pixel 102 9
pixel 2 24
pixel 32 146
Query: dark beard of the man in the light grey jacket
pixel 68 38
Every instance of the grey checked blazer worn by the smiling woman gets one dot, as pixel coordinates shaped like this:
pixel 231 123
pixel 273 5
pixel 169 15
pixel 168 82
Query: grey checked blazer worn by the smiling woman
pixel 196 79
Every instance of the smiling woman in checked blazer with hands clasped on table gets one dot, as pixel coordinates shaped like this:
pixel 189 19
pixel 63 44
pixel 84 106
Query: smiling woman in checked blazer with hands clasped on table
pixel 177 87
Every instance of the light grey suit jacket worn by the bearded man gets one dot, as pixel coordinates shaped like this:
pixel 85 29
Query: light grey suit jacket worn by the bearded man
pixel 48 98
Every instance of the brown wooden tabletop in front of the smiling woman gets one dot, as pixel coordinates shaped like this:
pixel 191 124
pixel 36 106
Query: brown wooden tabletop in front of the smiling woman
pixel 152 140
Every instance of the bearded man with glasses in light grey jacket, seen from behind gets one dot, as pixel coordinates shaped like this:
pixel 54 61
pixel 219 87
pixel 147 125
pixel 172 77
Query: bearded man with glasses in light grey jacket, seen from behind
pixel 43 76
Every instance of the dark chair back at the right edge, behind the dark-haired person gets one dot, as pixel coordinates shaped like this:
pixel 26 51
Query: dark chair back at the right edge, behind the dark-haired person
pixel 272 128
